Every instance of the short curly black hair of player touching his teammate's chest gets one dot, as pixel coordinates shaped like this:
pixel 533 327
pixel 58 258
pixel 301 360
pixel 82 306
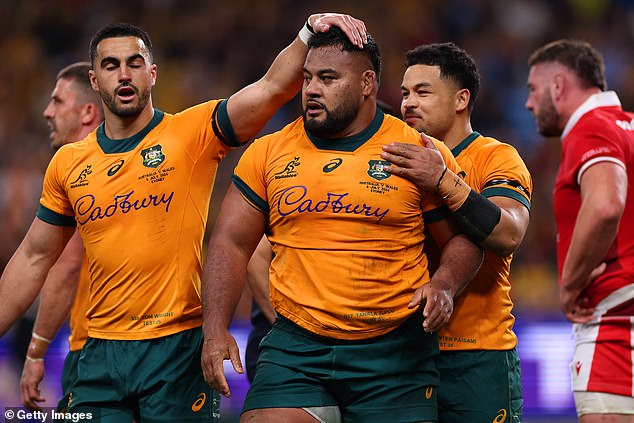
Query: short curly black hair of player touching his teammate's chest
pixel 454 63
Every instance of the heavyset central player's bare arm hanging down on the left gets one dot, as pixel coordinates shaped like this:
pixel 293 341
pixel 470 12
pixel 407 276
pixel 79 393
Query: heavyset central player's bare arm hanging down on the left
pixel 236 233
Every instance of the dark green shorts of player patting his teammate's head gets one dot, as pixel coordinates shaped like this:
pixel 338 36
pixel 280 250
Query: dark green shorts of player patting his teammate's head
pixel 154 380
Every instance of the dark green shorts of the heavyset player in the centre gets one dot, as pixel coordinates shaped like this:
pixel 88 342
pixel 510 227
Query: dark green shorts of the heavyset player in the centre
pixel 392 377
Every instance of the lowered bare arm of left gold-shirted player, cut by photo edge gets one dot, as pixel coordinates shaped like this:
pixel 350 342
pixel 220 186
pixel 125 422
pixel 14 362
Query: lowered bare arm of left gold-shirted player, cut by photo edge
pixel 24 275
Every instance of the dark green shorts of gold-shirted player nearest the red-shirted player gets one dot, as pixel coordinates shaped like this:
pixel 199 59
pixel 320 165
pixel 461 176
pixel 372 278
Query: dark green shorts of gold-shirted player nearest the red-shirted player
pixel 480 386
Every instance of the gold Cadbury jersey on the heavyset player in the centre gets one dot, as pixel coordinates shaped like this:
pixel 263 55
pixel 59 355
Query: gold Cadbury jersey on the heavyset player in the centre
pixel 347 236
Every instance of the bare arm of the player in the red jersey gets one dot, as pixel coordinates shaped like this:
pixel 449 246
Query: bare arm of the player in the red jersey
pixel 595 229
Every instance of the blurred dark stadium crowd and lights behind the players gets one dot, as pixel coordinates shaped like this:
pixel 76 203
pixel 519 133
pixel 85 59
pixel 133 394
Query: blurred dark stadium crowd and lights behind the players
pixel 209 49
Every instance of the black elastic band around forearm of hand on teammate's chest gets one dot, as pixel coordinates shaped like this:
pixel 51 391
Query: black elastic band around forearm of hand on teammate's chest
pixel 478 216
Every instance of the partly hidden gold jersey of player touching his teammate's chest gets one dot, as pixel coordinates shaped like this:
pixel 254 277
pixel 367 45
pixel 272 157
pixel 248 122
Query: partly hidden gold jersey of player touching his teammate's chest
pixel 482 316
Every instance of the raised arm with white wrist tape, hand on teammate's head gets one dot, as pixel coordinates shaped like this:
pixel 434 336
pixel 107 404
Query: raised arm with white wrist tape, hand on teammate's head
pixel 250 108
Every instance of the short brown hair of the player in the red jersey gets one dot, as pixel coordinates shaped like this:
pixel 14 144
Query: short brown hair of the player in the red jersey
pixel 579 56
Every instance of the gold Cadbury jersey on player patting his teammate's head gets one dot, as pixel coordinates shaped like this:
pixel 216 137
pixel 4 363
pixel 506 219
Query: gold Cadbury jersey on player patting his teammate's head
pixel 140 205
